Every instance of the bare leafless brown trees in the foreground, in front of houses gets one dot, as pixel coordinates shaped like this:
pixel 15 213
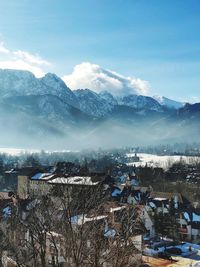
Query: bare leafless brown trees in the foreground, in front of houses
pixel 69 227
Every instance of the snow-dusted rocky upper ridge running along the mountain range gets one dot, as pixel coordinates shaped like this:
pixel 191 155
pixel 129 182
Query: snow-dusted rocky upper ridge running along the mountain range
pixel 23 83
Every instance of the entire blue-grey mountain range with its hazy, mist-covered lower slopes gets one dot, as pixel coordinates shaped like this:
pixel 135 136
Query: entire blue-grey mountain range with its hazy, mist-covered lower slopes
pixel 44 112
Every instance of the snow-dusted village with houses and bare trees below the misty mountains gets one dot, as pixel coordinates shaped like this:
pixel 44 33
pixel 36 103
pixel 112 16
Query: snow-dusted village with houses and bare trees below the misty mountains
pixel 98 212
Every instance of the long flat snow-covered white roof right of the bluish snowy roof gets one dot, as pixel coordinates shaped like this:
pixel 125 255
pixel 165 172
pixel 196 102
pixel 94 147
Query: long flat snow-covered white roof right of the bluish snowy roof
pixel 79 180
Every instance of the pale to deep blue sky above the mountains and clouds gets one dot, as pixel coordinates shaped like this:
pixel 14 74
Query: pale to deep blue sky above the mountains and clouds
pixel 154 40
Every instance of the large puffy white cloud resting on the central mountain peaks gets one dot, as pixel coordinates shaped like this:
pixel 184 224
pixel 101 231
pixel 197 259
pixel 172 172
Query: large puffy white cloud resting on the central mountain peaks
pixel 92 76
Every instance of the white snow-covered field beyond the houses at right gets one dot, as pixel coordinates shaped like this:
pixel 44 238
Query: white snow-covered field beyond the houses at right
pixel 159 161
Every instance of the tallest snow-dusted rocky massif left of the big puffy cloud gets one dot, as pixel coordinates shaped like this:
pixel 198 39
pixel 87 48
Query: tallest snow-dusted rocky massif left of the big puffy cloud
pixel 24 83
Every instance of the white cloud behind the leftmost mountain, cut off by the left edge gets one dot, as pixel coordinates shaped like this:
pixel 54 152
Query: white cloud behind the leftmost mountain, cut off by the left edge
pixel 22 60
